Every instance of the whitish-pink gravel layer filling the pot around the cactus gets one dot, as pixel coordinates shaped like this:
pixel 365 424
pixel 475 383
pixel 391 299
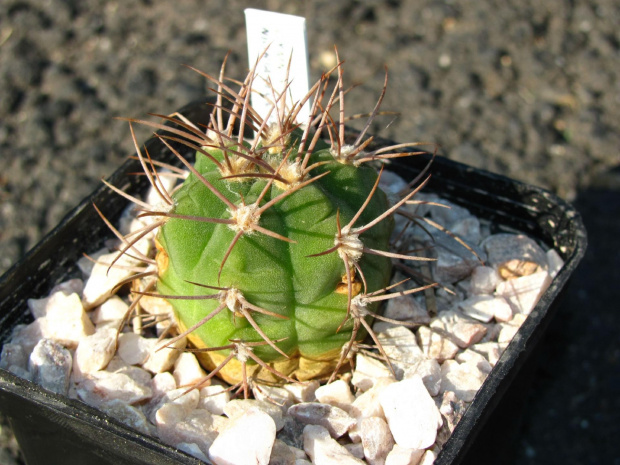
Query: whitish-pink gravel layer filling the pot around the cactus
pixel 439 364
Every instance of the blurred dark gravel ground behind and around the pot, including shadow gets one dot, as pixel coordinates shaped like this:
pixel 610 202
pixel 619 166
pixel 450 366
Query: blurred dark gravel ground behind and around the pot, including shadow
pixel 527 89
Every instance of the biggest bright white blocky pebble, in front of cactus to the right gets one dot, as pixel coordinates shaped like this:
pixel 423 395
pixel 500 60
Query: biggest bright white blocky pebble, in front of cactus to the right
pixel 411 413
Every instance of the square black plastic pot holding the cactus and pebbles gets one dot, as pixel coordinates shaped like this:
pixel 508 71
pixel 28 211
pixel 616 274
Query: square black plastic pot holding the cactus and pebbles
pixel 52 429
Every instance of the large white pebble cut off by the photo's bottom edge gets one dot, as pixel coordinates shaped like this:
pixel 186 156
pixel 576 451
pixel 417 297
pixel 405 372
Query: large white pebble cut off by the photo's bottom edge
pixel 248 439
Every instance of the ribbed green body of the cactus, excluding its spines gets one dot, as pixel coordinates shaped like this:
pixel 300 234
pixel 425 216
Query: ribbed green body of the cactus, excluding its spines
pixel 310 292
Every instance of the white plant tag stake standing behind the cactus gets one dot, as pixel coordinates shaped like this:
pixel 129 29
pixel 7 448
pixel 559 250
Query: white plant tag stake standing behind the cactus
pixel 282 38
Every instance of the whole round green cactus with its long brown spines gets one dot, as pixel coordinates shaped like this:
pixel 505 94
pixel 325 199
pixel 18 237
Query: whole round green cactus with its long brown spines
pixel 274 252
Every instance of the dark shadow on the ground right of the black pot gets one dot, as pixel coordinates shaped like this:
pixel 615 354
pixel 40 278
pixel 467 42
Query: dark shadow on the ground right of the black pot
pixel 571 413
